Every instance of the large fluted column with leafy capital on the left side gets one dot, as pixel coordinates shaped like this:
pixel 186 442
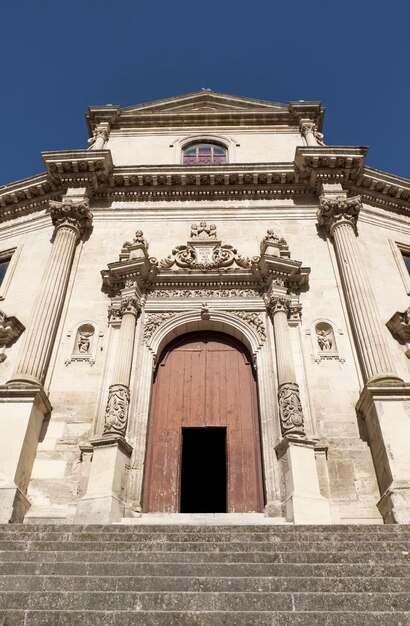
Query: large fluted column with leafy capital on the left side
pixel 70 218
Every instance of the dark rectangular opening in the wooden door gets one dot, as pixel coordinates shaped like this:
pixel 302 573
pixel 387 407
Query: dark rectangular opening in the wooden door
pixel 203 470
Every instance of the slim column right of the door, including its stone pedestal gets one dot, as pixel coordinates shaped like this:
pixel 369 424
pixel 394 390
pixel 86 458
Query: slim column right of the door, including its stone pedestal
pixel 303 501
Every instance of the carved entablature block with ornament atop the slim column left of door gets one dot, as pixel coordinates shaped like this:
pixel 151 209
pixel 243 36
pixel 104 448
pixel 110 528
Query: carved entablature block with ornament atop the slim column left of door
pixel 134 267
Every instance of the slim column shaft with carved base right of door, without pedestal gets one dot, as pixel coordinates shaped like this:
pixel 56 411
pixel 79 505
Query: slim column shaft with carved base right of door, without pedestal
pixel 290 408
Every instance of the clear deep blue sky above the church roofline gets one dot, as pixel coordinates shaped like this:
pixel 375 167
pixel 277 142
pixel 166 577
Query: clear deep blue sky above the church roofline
pixel 57 58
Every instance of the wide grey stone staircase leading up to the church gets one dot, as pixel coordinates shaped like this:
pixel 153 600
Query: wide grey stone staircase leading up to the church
pixel 118 575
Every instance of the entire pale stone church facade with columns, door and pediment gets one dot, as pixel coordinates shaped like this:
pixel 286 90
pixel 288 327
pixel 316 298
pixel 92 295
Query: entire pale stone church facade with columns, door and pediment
pixel 205 311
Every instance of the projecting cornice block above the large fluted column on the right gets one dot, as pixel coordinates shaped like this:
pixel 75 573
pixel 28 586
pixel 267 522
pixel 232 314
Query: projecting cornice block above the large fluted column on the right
pixel 329 164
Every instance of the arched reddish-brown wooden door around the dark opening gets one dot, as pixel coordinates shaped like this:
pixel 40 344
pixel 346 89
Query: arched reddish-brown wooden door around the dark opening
pixel 204 379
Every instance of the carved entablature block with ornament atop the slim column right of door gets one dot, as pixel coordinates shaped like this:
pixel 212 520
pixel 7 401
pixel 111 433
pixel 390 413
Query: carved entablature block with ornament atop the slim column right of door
pixel 274 265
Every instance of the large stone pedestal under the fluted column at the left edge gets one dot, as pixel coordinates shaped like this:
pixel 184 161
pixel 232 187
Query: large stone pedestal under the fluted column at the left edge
pixel 23 411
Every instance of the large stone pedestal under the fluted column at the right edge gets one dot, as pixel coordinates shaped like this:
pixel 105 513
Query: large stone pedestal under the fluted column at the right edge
pixel 386 411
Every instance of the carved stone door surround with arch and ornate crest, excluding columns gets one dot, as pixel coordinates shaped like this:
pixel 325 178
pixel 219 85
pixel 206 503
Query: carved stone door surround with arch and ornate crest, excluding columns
pixel 204 284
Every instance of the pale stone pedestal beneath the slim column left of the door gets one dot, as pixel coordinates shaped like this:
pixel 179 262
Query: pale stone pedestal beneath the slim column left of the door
pixel 103 504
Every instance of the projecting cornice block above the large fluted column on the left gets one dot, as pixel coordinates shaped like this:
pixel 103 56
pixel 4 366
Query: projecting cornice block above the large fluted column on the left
pixel 78 168
